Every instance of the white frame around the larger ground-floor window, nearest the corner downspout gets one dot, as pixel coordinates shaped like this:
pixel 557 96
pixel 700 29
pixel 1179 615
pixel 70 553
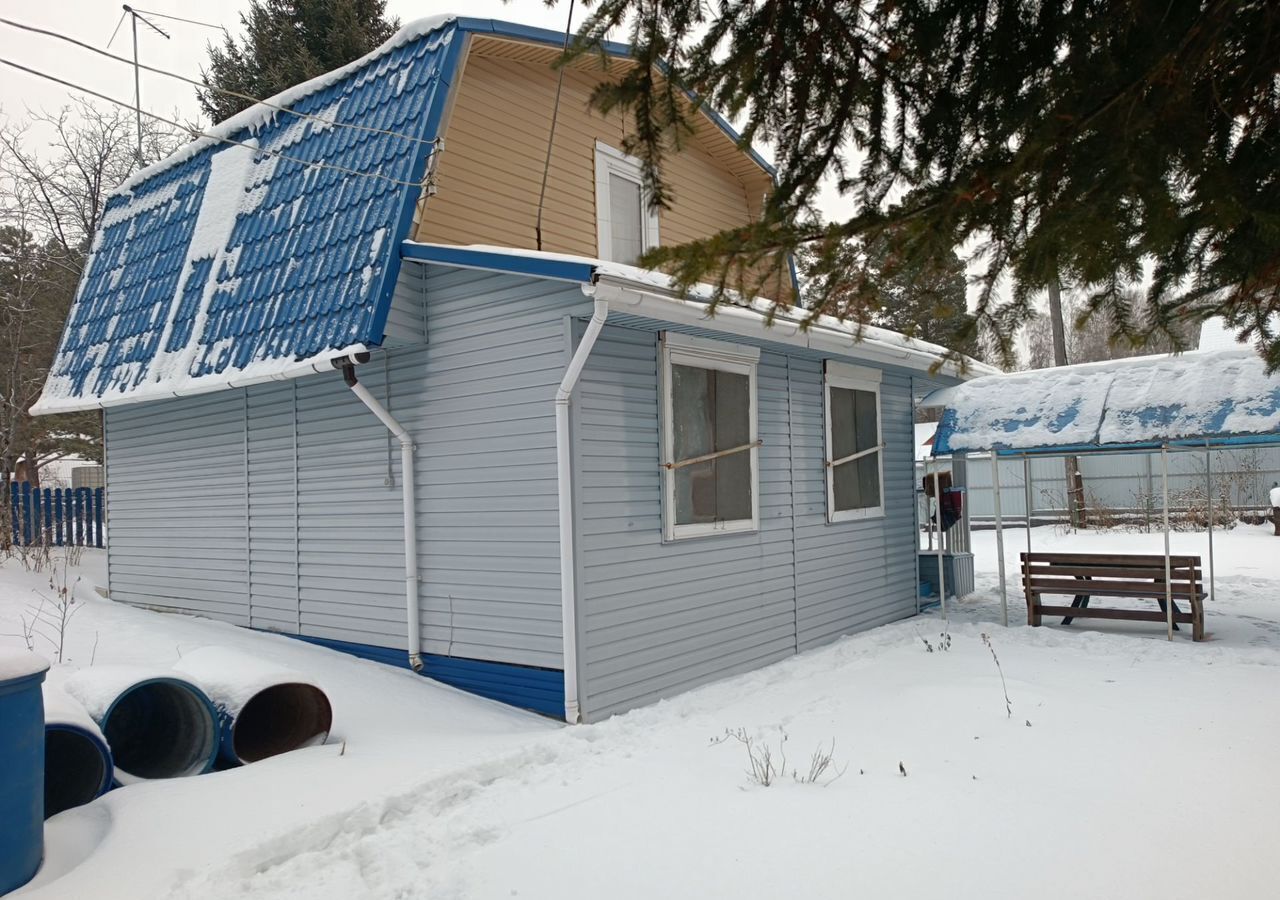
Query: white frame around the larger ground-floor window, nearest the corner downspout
pixel 700 353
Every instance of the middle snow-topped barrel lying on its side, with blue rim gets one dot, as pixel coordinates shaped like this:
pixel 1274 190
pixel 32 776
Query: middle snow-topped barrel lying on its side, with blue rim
pixel 157 724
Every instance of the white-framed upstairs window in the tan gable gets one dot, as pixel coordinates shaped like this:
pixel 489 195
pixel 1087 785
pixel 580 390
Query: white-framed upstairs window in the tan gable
pixel 625 225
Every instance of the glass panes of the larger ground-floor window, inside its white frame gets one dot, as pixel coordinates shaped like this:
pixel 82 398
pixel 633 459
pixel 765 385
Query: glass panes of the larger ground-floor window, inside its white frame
pixel 711 413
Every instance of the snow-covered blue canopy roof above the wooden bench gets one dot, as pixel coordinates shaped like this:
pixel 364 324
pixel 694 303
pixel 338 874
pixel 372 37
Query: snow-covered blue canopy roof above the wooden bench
pixel 1217 399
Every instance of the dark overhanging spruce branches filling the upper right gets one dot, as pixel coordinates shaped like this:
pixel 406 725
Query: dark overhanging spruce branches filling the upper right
pixel 1105 143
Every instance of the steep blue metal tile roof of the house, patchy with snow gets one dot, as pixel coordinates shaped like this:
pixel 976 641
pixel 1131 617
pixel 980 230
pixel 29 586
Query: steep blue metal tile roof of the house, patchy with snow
pixel 250 257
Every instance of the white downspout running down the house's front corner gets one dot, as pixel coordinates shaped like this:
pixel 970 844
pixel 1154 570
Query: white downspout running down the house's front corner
pixel 565 501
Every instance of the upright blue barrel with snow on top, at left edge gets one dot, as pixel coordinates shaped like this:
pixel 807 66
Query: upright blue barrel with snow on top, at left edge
pixel 22 764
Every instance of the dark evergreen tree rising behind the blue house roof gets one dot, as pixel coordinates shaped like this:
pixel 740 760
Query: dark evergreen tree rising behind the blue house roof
pixel 287 43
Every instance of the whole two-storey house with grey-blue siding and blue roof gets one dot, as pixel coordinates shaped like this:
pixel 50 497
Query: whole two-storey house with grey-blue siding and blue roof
pixel 348 399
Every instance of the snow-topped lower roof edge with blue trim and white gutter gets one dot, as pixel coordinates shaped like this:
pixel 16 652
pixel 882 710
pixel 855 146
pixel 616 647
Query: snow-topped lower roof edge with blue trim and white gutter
pixel 751 316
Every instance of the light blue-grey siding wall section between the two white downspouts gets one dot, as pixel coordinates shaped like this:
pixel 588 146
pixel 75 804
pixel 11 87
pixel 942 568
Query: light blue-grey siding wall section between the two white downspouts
pixel 486 430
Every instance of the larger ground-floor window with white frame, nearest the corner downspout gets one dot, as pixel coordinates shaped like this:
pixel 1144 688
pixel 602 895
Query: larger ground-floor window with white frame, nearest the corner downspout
pixel 710 437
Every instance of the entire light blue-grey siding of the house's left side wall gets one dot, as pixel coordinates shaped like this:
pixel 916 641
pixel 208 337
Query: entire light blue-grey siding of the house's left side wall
pixel 280 506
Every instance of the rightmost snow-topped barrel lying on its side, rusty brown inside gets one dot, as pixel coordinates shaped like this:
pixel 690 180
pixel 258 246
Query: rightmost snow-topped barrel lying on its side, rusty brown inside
pixel 264 710
